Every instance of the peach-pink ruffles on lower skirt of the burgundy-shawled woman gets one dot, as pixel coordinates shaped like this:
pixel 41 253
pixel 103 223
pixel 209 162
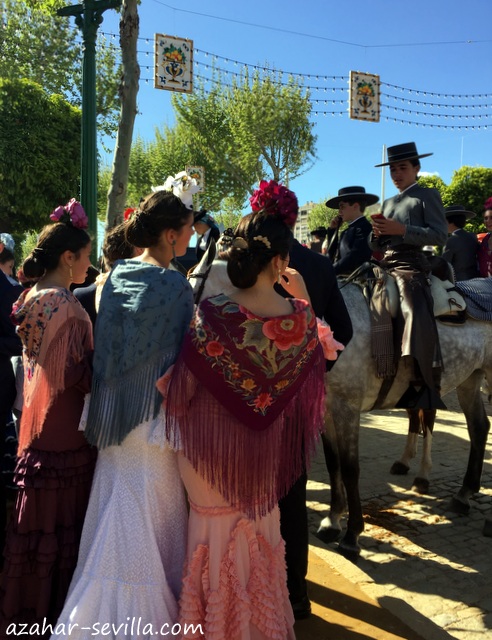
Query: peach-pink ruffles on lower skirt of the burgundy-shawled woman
pixel 226 612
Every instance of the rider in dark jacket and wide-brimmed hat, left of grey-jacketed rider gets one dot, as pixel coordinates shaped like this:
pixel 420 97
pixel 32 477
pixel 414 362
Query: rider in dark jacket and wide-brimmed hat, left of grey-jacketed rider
pixel 351 248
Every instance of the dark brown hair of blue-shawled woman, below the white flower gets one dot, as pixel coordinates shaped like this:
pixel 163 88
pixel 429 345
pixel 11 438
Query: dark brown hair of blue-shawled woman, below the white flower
pixel 159 211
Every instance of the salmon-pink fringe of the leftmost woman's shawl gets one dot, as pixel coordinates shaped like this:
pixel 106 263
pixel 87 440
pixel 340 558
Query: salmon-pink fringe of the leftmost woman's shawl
pixel 73 340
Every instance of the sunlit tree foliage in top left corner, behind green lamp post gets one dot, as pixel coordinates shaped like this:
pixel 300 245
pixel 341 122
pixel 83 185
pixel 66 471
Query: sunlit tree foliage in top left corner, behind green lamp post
pixel 37 45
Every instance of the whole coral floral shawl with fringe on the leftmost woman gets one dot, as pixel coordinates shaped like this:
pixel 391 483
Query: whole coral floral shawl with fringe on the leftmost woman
pixel 54 329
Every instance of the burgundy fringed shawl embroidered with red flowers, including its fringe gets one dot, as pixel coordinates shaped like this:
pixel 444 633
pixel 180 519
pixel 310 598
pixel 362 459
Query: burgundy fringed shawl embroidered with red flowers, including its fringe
pixel 246 400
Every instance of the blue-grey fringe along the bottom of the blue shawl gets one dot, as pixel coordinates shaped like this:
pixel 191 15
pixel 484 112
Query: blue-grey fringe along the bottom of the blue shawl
pixel 118 406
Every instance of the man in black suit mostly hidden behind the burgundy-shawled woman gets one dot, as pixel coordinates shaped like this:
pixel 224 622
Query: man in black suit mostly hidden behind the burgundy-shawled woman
pixel 328 304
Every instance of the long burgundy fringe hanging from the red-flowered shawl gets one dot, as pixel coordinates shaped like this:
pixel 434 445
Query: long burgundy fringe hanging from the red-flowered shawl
pixel 252 469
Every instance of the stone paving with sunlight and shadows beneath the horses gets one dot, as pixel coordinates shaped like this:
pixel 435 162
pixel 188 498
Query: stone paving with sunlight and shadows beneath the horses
pixel 426 566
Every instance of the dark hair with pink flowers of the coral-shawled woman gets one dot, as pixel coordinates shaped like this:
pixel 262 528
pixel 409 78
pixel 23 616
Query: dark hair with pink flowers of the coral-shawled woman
pixel 67 233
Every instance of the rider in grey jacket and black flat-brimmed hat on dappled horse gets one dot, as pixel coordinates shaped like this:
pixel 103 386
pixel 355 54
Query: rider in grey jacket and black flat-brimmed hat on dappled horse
pixel 412 219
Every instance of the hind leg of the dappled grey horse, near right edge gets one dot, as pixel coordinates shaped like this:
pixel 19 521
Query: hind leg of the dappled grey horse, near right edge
pixel 470 399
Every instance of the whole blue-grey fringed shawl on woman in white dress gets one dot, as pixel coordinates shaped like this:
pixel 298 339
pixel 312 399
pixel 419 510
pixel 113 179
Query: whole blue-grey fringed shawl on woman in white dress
pixel 143 315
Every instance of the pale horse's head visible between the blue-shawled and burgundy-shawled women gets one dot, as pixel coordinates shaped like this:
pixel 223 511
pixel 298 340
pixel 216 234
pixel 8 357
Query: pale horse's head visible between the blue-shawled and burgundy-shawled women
pixel 209 277
